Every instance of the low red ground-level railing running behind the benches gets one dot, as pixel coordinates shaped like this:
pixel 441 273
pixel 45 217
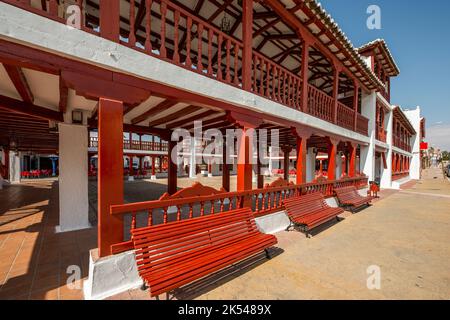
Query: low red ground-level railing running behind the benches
pixel 211 201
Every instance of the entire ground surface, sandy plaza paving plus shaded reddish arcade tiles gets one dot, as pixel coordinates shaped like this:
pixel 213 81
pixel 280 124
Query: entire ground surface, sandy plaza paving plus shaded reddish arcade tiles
pixel 405 234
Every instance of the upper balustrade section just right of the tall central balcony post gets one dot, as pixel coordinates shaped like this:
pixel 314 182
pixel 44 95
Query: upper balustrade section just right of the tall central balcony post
pixel 275 82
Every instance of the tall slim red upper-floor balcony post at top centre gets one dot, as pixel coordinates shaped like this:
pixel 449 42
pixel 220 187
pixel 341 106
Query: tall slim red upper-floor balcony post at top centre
pixel 247 39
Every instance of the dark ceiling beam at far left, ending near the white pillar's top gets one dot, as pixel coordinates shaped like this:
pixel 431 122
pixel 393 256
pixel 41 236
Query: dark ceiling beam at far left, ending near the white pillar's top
pixel 29 109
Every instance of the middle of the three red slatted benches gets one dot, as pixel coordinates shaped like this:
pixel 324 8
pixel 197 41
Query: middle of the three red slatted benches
pixel 310 211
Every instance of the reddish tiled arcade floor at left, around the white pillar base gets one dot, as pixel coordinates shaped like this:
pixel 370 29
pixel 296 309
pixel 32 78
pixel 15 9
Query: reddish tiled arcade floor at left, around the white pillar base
pixel 33 258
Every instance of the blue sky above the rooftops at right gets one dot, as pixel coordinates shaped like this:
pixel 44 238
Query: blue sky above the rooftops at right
pixel 417 33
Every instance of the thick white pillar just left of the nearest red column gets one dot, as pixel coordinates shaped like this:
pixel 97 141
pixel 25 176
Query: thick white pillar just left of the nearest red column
pixel 73 178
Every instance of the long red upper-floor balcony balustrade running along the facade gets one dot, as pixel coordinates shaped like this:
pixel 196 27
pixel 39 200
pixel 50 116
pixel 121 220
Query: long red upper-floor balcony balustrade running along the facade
pixel 171 32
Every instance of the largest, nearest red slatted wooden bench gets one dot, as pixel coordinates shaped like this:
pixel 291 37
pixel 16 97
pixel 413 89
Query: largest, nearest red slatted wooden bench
pixel 171 255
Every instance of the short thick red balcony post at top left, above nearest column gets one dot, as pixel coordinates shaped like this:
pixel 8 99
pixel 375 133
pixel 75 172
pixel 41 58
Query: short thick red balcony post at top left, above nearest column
pixel 109 19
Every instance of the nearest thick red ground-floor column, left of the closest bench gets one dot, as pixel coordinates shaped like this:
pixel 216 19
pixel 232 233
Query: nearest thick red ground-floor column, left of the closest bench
pixel 110 173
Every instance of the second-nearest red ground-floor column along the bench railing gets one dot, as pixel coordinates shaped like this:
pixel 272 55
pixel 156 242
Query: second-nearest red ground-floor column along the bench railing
pixel 244 166
